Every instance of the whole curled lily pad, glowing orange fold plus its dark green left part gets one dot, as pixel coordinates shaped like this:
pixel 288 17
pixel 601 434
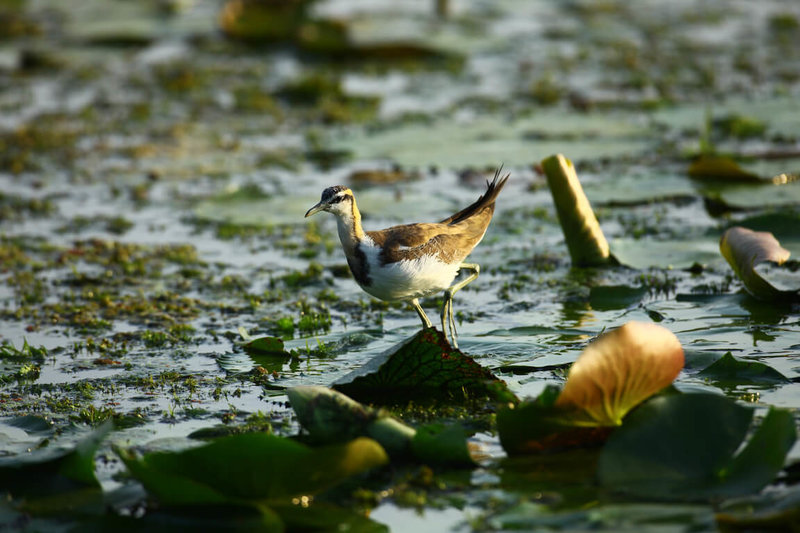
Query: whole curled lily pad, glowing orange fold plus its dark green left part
pixel 613 375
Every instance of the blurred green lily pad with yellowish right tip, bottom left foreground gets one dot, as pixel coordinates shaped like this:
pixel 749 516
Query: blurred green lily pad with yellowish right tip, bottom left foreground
pixel 252 467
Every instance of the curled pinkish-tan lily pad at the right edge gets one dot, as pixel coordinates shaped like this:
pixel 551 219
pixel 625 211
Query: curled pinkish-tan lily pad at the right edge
pixel 745 249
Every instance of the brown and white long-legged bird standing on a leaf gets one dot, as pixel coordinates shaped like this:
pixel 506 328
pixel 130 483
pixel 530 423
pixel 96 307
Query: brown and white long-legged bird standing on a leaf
pixel 412 261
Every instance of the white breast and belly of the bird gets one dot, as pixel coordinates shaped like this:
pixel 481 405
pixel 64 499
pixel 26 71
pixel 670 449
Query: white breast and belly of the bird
pixel 404 280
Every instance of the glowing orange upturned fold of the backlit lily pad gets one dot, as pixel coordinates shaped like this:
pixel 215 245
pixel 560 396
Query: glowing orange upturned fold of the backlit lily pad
pixel 619 370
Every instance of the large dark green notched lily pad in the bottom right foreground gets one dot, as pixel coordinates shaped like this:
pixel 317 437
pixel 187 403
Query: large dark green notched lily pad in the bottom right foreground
pixel 681 447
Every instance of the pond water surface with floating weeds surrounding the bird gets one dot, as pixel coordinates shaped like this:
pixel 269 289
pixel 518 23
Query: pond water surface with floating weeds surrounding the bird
pixel 154 174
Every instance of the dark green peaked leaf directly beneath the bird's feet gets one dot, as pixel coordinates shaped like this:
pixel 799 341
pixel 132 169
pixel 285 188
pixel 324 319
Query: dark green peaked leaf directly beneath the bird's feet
pixel 424 367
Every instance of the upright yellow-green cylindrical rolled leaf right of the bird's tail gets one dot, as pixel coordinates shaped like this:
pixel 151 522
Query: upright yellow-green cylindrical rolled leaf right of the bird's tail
pixel 585 240
